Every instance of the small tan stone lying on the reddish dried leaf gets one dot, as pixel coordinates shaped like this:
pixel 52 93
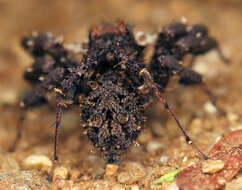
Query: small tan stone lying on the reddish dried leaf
pixel 212 166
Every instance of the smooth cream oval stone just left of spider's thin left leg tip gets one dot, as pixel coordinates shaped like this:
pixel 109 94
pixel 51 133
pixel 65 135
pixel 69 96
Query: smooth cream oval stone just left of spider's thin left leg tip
pixel 41 162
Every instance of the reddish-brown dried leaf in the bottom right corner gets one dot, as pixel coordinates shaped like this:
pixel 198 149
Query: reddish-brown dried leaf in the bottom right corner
pixel 229 151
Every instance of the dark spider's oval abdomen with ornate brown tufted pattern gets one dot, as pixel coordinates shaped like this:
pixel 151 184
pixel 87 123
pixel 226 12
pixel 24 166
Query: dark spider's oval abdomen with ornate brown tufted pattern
pixel 112 116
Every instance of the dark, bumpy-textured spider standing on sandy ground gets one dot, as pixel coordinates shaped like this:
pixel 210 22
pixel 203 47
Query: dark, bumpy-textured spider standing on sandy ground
pixel 109 81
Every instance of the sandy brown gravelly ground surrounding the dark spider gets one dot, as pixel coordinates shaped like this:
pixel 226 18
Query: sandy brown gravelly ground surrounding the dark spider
pixel 152 155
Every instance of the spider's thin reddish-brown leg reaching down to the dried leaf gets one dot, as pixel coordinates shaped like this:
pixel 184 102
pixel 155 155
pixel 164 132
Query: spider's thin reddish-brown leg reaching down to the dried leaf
pixel 148 79
